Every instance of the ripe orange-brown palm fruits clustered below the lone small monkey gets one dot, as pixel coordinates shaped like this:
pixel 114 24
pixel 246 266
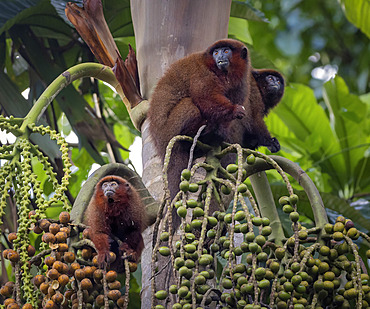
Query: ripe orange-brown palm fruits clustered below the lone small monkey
pixel 64 276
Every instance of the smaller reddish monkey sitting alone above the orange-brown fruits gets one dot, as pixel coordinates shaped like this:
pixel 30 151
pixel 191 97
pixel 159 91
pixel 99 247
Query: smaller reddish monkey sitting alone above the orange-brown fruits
pixel 116 212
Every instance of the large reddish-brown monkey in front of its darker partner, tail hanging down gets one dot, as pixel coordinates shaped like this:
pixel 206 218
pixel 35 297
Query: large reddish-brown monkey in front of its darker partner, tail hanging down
pixel 209 88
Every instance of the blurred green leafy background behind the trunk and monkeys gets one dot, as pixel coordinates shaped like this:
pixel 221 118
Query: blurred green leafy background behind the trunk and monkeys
pixel 321 47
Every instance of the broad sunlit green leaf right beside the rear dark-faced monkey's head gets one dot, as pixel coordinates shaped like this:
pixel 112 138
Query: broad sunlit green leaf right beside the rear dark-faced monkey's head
pixel 308 122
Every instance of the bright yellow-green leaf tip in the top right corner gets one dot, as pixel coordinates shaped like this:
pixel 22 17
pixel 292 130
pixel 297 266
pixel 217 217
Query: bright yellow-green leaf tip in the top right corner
pixel 358 12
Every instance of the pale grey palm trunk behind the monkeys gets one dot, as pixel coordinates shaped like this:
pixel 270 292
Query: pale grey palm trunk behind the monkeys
pixel 166 31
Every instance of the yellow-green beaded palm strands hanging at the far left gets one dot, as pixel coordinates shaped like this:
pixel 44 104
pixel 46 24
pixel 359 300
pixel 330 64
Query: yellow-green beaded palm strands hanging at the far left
pixel 22 189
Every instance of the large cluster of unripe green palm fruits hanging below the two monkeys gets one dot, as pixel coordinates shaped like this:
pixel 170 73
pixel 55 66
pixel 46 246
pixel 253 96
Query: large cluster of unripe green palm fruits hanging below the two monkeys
pixel 228 259
